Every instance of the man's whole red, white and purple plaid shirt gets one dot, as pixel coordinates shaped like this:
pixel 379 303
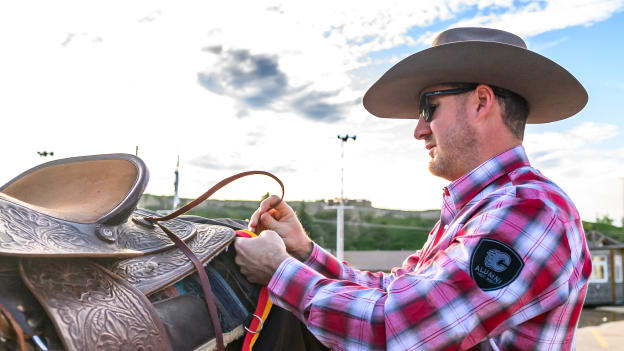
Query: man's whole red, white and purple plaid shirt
pixel 506 267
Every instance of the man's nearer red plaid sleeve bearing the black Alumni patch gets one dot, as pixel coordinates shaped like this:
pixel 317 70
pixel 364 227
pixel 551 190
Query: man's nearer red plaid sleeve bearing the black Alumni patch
pixel 438 305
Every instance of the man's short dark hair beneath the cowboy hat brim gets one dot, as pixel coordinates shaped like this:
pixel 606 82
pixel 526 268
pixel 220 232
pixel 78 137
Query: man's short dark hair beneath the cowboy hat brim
pixel 514 107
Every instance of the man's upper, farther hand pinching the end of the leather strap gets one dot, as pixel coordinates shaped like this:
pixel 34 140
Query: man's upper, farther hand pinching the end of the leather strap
pixel 283 220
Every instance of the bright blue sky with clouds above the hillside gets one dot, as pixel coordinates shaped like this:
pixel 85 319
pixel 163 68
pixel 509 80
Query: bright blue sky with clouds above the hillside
pixel 268 85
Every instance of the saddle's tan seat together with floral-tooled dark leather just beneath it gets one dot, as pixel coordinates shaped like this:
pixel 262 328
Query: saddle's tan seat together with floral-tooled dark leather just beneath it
pixel 82 207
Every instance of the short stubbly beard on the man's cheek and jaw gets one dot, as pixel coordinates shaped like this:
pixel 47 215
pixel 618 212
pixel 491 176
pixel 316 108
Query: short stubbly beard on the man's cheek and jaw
pixel 455 151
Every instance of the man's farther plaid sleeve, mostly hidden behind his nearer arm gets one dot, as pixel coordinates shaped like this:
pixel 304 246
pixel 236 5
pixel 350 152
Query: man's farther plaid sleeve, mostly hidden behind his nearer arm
pixel 330 267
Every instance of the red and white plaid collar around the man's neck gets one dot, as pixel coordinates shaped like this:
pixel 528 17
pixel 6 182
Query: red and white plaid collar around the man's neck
pixel 470 184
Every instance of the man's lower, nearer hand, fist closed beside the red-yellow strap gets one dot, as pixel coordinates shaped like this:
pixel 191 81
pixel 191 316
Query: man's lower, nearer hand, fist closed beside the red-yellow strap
pixel 259 257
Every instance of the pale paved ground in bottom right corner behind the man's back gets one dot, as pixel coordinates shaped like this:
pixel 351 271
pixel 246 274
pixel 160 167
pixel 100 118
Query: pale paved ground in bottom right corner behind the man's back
pixel 608 336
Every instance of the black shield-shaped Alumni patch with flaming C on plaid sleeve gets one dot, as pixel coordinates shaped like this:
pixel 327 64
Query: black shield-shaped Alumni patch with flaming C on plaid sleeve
pixel 494 265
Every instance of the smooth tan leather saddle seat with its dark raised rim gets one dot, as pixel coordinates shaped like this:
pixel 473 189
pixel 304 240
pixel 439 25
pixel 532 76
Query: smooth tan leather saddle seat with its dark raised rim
pixel 92 189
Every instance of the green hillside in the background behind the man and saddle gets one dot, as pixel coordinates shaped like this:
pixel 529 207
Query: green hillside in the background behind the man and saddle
pixel 366 227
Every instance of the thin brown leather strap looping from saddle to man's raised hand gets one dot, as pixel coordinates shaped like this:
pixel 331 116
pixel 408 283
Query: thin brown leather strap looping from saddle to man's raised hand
pixel 203 277
